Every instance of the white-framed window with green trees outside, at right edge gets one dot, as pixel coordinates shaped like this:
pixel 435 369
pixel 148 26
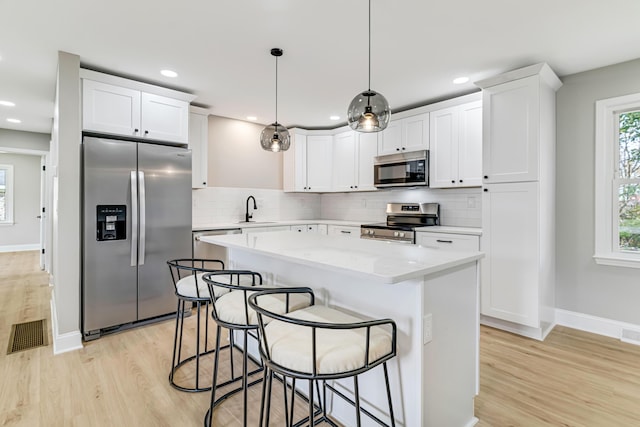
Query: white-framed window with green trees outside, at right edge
pixel 617 210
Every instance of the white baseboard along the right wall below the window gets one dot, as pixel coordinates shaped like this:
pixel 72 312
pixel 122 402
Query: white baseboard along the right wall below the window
pixel 627 332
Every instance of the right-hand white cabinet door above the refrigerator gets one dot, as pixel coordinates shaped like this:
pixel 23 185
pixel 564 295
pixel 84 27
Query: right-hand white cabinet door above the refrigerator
pixel 164 119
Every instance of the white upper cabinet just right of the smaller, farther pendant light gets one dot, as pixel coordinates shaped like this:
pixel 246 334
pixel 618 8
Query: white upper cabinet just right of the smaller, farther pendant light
pixel 308 162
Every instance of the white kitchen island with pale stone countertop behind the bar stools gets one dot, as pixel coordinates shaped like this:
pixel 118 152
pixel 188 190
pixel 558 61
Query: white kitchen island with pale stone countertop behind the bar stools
pixel 431 294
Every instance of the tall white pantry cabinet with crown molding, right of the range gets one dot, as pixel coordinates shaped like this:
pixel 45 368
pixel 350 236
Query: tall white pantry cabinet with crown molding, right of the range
pixel 518 204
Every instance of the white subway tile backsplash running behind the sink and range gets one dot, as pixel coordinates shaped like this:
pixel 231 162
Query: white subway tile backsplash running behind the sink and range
pixel 214 205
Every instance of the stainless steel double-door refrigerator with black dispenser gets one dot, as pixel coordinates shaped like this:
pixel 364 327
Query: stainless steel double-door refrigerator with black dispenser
pixel 136 216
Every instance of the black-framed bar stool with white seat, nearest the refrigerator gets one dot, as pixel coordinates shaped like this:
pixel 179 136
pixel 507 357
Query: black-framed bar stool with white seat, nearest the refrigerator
pixel 186 274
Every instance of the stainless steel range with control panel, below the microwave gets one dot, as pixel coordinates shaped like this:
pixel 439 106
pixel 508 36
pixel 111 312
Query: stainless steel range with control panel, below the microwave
pixel 402 220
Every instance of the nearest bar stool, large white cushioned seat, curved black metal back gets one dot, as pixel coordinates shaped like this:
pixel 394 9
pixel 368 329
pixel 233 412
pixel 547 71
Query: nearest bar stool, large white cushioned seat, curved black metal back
pixel 319 343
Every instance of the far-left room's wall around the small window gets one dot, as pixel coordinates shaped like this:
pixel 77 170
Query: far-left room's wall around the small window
pixel 25 229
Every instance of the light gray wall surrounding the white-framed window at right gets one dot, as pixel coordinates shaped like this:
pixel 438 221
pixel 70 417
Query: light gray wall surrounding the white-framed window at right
pixel 582 285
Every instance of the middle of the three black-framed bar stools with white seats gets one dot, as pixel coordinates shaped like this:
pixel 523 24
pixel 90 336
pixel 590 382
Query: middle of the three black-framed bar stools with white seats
pixel 230 290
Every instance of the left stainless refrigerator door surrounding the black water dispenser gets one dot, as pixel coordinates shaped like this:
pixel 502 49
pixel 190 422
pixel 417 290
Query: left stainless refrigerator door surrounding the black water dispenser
pixel 109 281
